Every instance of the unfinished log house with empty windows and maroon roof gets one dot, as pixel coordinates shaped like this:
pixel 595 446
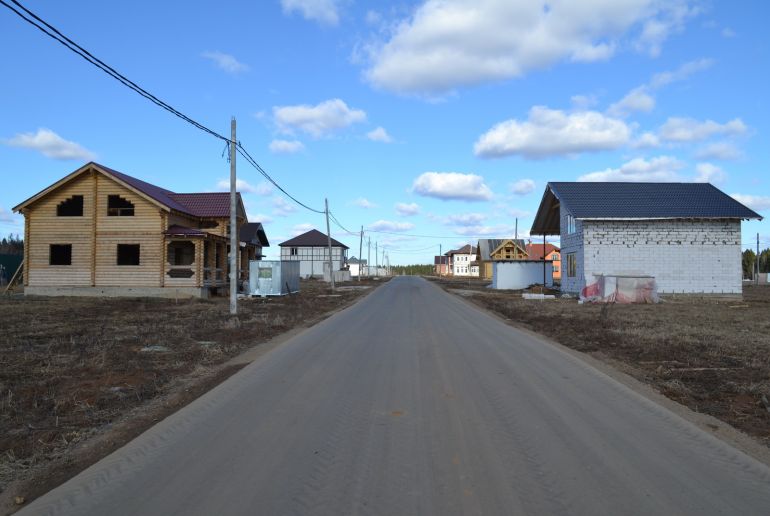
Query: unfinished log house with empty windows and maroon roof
pixel 101 232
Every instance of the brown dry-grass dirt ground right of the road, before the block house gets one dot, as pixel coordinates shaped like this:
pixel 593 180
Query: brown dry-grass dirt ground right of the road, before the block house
pixel 712 355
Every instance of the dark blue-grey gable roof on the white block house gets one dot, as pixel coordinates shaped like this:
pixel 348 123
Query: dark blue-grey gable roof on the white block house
pixel 601 201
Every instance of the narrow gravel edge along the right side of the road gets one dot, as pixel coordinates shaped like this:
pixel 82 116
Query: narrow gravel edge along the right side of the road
pixel 614 369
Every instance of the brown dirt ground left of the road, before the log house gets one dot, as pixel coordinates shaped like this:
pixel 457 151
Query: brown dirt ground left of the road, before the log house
pixel 74 369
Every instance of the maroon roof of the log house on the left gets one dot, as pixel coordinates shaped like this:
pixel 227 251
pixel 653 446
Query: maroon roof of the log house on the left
pixel 214 204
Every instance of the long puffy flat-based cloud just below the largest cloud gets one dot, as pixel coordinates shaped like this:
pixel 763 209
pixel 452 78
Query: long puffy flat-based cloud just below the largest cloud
pixel 550 132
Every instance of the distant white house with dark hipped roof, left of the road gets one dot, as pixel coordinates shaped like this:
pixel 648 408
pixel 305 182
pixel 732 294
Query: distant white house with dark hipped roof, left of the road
pixel 311 249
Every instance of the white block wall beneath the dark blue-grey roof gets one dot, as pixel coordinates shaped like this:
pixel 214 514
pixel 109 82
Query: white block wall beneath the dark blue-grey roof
pixel 685 256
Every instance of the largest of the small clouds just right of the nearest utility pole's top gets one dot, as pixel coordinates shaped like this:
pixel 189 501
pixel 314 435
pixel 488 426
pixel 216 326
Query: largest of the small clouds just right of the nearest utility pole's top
pixel 318 120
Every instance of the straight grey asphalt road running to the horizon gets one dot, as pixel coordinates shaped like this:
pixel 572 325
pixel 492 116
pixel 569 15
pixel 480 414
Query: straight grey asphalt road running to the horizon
pixel 412 402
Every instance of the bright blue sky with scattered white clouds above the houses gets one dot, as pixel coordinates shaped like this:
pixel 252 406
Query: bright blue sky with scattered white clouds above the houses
pixel 426 118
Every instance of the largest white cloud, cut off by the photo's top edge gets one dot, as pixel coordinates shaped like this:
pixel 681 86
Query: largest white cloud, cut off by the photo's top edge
pixel 446 44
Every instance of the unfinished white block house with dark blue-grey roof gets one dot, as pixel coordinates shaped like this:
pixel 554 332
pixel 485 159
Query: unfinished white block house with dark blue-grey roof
pixel 646 229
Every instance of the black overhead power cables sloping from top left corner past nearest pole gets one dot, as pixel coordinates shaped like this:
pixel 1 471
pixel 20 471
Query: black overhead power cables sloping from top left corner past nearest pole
pixel 54 33
